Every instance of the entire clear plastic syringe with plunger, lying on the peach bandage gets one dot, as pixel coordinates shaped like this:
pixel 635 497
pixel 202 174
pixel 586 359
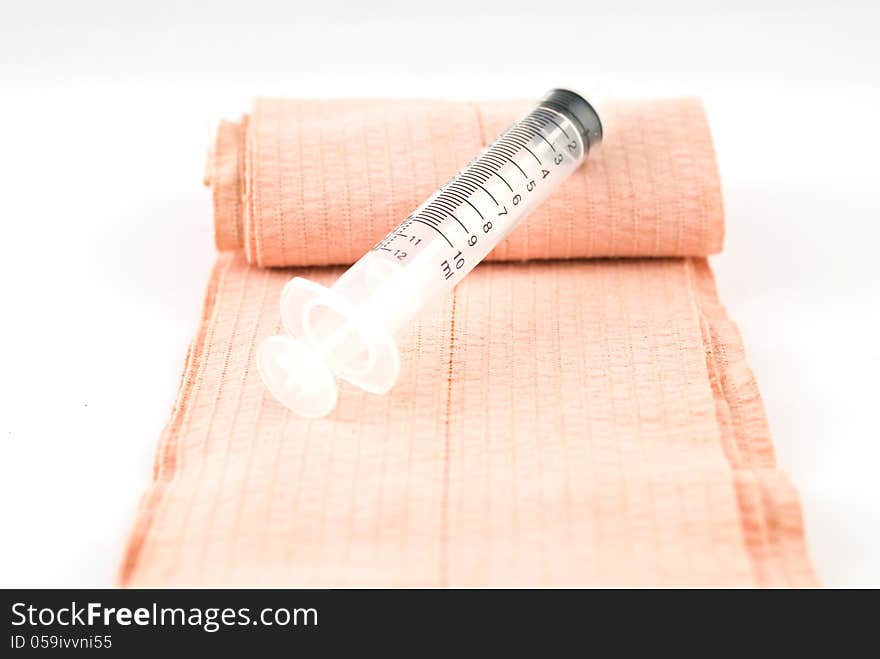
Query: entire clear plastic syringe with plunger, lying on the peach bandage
pixel 347 330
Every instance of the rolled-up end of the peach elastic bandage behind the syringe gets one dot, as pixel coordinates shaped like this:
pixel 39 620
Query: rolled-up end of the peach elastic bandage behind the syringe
pixel 318 183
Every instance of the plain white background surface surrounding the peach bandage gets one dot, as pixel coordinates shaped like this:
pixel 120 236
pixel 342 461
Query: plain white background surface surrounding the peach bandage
pixel 104 111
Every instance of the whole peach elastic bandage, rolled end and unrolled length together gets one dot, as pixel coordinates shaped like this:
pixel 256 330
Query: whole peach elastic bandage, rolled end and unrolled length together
pixel 557 422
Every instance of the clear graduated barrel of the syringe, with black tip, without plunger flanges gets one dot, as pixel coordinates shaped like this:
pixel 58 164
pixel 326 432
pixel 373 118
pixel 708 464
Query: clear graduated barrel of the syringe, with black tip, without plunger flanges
pixel 456 228
